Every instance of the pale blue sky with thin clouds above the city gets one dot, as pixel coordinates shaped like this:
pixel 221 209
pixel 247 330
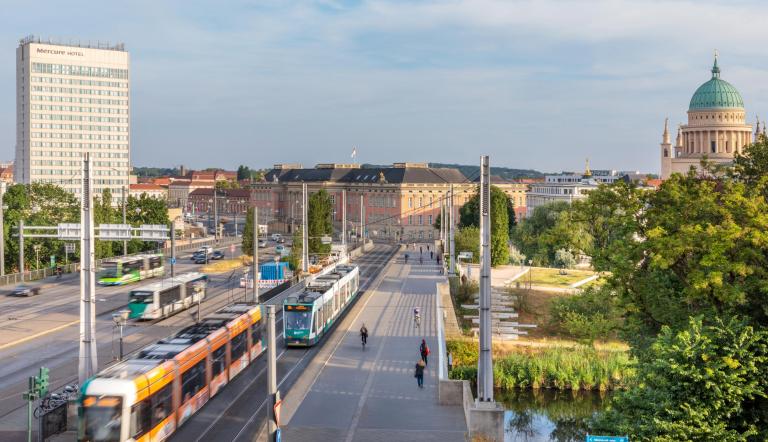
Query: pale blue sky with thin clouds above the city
pixel 534 84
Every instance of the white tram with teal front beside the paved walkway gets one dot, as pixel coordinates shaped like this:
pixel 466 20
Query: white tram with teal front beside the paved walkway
pixel 308 315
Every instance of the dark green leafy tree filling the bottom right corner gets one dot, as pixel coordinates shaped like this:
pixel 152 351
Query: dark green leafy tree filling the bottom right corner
pixel 702 383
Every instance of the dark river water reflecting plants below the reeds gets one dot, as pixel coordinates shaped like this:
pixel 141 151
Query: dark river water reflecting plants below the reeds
pixel 548 415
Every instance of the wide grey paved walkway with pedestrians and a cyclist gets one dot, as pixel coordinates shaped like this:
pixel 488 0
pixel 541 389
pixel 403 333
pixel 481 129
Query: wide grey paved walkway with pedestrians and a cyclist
pixel 371 394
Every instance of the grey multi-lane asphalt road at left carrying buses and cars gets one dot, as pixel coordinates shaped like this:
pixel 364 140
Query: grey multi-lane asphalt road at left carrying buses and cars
pixel 44 331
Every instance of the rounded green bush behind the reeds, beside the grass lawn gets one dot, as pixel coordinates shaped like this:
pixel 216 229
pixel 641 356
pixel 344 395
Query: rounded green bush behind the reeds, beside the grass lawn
pixel 592 314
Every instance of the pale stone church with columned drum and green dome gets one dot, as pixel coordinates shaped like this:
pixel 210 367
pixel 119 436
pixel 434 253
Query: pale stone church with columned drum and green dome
pixel 716 128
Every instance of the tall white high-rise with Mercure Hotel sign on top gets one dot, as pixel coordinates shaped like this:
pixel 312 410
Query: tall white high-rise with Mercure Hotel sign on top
pixel 72 99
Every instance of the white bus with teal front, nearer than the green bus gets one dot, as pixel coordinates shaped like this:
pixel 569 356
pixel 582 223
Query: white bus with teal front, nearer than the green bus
pixel 167 297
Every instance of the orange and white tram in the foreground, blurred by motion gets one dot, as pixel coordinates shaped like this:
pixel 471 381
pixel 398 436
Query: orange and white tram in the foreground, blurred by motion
pixel 146 398
